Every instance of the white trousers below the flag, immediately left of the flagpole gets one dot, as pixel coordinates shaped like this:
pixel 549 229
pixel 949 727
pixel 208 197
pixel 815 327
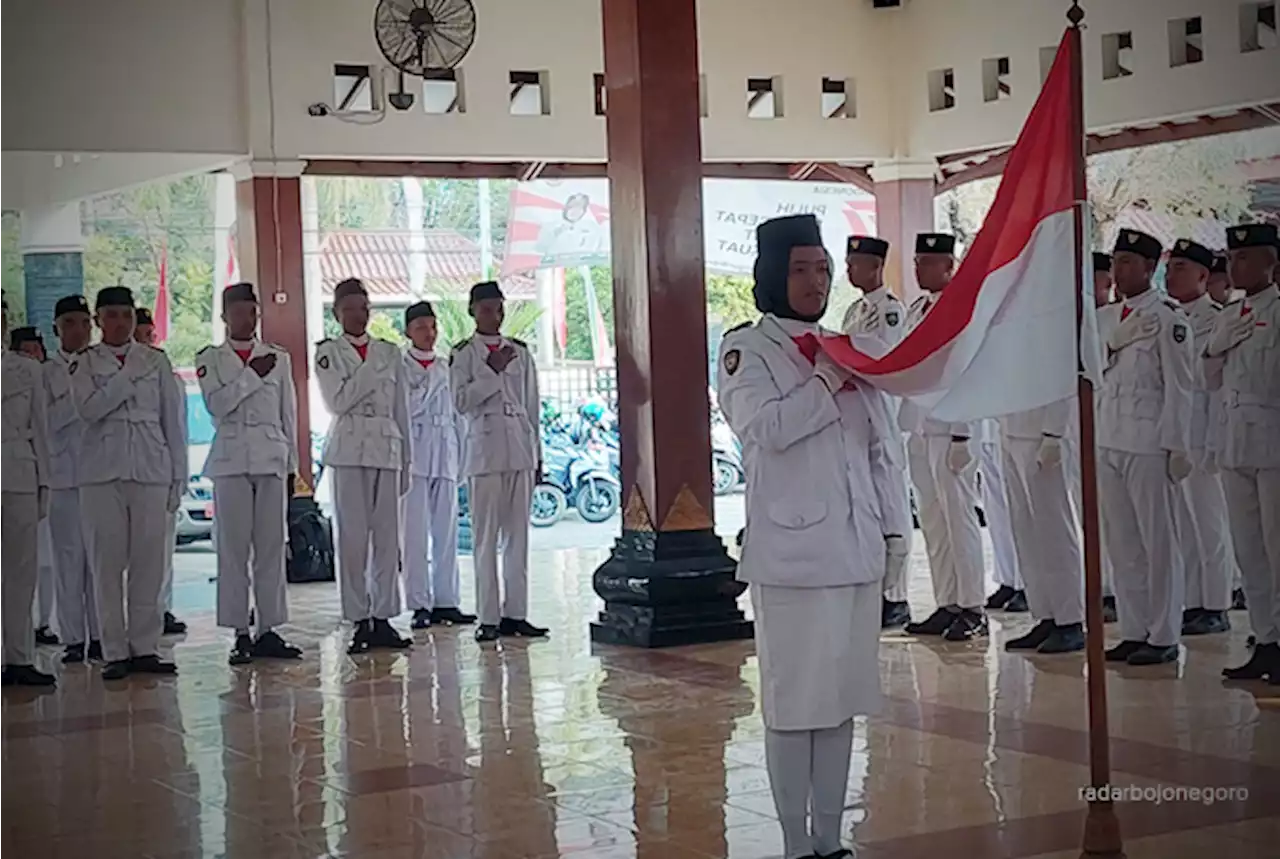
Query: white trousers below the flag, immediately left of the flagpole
pixel 1046 532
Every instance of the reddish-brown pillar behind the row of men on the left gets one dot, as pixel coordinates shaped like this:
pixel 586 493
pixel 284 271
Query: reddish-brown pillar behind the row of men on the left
pixel 269 243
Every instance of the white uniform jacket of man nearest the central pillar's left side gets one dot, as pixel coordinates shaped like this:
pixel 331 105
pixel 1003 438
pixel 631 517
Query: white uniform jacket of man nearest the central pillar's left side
pixel 501 410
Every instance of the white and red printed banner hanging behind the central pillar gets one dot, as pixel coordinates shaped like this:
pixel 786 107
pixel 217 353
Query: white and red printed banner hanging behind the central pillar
pixel 565 223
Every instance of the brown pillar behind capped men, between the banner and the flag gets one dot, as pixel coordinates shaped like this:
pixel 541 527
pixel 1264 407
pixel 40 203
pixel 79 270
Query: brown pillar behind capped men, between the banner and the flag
pixel 904 208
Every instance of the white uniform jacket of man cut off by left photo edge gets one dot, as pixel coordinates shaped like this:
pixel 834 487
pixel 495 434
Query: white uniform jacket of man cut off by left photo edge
pixel 24 424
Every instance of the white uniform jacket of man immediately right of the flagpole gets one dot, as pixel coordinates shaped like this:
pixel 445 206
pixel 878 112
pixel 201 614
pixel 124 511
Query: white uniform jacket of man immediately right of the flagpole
pixel 1148 387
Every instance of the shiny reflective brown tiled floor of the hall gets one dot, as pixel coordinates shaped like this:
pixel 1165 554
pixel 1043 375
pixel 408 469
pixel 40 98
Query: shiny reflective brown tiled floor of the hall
pixel 563 750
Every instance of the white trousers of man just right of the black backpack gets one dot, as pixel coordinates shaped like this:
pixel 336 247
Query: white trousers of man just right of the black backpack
pixel 368 523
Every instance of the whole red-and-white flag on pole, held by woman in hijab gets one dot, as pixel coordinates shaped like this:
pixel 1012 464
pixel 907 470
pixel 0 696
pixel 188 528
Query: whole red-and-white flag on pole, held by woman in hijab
pixel 1003 337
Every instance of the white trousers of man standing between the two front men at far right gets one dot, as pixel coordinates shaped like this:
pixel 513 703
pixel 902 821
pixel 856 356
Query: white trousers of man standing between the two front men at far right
pixel 1203 529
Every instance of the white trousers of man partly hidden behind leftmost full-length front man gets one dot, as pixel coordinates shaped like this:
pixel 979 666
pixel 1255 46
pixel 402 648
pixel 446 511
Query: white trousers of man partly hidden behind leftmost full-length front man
pixel 77 605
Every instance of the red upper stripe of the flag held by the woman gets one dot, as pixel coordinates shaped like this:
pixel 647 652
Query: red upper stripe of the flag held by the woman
pixel 1037 185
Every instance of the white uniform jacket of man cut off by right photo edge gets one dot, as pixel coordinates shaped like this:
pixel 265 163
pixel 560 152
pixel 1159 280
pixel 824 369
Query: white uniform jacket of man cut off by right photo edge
pixel 1249 378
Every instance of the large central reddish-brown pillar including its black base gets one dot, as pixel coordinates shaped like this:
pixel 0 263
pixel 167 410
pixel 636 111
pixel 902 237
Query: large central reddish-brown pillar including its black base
pixel 670 579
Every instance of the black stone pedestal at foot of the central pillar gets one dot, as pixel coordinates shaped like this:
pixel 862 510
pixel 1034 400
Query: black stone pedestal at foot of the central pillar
pixel 670 588
